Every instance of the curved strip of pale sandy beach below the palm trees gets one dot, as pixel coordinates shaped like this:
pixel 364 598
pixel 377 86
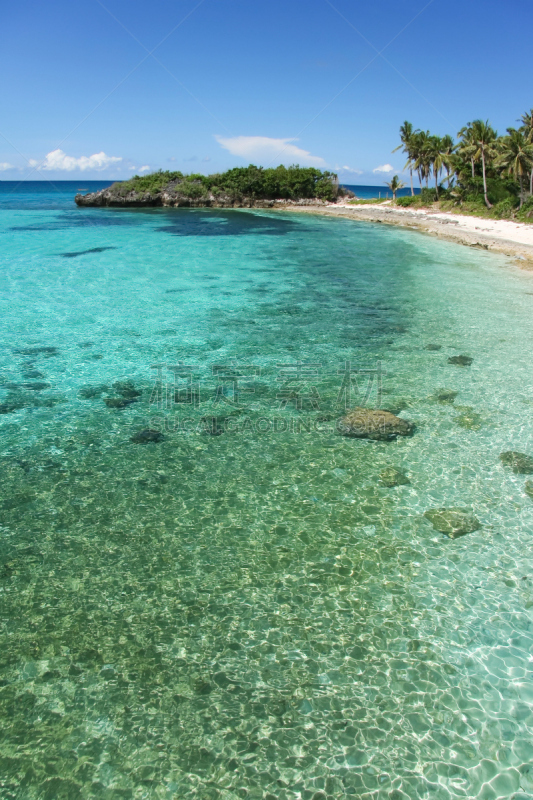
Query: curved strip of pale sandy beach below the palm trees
pixel 513 239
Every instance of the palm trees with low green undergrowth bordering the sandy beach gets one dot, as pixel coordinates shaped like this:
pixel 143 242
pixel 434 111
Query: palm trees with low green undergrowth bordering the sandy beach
pixel 486 174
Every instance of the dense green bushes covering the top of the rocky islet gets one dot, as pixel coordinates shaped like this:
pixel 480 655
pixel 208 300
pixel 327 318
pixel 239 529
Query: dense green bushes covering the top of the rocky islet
pixel 290 183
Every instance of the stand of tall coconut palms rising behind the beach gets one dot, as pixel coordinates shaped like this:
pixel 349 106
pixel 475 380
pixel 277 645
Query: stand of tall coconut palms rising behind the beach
pixel 499 166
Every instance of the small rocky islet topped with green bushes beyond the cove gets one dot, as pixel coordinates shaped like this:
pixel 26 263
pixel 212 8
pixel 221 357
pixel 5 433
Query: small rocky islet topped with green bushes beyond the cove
pixel 242 187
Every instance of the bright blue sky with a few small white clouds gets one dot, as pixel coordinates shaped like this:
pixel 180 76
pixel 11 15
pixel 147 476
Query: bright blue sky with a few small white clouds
pixel 106 88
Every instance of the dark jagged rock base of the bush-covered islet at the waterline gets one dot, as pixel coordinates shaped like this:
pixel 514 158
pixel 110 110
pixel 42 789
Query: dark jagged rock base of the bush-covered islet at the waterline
pixel 111 198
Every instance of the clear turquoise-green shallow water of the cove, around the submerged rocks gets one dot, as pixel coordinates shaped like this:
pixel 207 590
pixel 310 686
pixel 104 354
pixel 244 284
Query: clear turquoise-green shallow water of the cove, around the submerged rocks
pixel 253 614
